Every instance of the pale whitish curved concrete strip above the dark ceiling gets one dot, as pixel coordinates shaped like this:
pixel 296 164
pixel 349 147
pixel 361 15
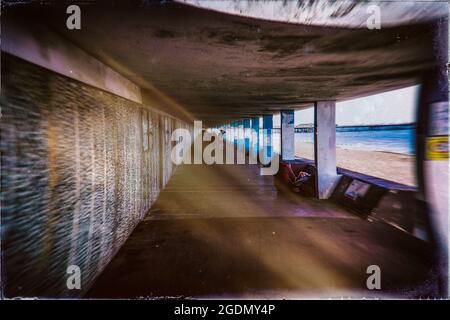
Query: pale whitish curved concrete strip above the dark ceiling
pixel 332 13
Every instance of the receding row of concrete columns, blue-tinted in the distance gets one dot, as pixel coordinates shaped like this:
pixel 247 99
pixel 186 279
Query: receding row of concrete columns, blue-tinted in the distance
pixel 324 141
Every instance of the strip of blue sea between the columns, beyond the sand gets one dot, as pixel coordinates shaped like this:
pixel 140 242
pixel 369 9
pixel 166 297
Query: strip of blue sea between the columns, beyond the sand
pixel 386 138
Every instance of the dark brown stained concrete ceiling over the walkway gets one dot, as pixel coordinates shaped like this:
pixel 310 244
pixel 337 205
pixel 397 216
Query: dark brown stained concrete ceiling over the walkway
pixel 216 66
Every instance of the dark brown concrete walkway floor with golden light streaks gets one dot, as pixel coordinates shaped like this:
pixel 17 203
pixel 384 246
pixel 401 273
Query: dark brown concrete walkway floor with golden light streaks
pixel 226 231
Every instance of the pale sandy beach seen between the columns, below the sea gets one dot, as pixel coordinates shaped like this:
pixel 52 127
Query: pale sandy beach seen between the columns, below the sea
pixel 390 166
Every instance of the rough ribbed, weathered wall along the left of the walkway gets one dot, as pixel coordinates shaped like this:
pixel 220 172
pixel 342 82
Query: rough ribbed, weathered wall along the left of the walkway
pixel 80 168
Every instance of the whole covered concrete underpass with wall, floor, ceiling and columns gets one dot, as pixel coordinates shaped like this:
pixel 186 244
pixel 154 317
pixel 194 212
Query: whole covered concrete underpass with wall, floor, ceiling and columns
pixel 88 179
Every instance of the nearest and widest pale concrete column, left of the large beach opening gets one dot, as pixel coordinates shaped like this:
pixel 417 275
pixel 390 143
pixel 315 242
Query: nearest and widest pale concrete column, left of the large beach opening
pixel 325 147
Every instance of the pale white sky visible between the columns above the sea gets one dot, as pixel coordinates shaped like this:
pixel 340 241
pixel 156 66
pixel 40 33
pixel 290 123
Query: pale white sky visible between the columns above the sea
pixel 398 106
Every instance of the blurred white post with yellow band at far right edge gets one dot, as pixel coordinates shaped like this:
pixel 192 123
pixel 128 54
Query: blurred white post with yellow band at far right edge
pixel 432 158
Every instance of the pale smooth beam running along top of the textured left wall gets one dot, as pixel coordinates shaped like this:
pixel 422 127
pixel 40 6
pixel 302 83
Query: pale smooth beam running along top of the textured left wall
pixel 65 58
